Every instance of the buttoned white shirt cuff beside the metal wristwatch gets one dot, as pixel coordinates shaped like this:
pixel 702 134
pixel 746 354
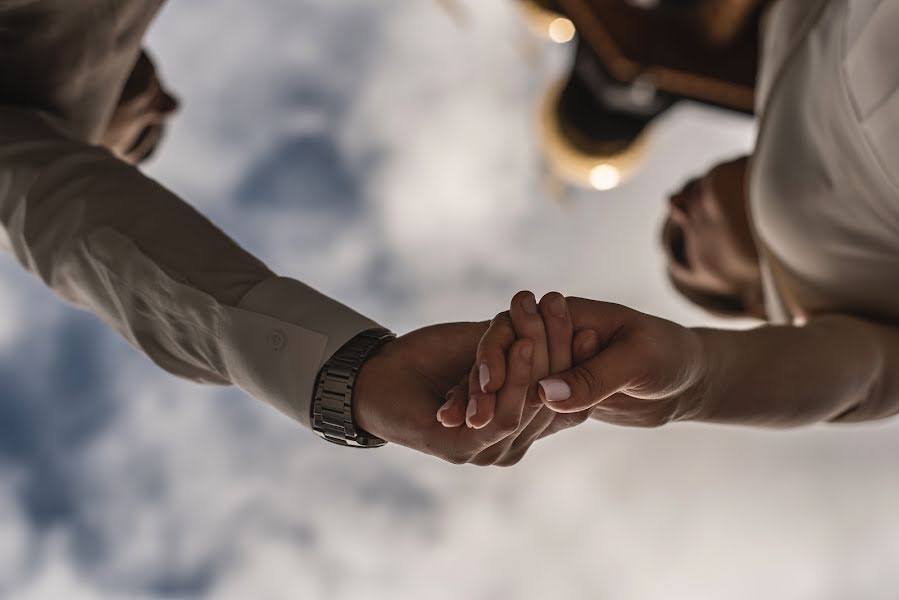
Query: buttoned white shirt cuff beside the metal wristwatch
pixel 279 336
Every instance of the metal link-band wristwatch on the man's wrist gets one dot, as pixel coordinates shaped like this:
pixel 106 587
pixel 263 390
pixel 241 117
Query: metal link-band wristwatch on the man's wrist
pixel 332 406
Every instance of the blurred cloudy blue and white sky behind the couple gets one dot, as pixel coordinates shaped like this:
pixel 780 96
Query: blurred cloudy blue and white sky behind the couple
pixel 385 151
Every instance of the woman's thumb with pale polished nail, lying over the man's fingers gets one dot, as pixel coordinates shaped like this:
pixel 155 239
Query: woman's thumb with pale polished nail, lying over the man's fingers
pixel 584 386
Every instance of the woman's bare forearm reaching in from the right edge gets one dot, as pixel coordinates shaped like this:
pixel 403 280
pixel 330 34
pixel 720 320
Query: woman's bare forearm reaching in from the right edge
pixel 837 368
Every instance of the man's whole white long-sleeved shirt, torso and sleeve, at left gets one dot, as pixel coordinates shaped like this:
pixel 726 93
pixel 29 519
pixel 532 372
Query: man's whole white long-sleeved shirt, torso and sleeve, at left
pixel 114 242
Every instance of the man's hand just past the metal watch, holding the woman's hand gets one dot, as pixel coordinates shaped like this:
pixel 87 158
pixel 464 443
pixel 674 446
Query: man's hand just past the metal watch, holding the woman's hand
pixel 399 390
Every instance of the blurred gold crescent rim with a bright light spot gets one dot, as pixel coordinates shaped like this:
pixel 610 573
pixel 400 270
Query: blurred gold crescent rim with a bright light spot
pixel 577 166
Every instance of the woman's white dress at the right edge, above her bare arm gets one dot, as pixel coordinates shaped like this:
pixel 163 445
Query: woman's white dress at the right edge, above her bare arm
pixel 824 188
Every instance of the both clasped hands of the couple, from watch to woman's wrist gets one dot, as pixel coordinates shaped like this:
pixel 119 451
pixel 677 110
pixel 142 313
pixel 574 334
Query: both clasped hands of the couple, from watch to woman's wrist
pixel 532 371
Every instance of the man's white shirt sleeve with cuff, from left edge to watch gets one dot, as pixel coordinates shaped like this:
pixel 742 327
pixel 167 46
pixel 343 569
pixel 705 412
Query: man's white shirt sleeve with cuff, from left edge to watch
pixel 110 240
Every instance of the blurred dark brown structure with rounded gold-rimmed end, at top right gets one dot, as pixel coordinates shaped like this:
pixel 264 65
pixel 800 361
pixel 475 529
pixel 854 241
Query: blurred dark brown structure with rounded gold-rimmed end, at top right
pixel 632 63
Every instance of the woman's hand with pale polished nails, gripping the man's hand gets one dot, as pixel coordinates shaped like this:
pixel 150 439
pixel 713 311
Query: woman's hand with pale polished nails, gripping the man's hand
pixel 629 368
